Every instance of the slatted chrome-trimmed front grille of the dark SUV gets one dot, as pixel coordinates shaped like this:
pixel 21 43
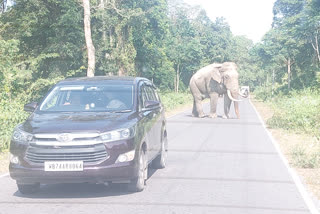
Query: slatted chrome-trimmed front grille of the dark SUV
pixel 91 154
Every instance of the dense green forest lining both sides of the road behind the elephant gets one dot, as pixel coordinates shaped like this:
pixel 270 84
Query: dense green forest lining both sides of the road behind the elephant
pixel 43 41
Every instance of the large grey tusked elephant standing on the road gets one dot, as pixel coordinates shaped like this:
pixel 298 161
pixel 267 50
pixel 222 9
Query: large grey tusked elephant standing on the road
pixel 212 81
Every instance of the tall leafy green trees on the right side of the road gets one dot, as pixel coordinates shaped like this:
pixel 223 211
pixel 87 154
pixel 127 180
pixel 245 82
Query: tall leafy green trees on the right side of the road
pixel 289 53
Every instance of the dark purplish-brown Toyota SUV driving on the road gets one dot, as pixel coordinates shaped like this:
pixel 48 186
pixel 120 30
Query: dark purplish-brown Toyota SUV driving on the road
pixel 97 130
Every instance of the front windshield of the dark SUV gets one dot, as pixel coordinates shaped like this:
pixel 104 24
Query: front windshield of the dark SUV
pixel 93 98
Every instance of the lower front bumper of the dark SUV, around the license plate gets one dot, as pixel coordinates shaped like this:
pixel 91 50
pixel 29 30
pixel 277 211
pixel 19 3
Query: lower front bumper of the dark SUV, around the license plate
pixel 122 172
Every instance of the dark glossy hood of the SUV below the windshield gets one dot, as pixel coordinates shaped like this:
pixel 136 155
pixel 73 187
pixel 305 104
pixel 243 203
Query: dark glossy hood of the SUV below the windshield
pixel 77 122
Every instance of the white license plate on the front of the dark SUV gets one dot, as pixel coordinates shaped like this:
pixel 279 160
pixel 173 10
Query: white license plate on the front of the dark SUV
pixel 63 166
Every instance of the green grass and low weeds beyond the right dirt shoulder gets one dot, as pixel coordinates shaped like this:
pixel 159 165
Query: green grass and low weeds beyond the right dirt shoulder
pixel 297 112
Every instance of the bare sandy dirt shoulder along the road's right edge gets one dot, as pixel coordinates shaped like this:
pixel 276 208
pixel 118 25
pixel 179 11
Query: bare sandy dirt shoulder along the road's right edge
pixel 289 142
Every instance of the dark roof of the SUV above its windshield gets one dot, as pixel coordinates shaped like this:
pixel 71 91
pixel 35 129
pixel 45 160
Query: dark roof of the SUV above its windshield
pixel 102 79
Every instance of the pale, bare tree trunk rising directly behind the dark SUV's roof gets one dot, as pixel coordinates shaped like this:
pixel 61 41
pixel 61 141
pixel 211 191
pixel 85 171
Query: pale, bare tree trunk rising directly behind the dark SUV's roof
pixel 89 43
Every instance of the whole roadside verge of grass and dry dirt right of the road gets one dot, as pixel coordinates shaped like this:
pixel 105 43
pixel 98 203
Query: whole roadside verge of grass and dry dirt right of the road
pixel 298 141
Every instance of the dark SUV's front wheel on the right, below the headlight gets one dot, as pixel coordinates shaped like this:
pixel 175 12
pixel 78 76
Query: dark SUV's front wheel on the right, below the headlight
pixel 137 184
